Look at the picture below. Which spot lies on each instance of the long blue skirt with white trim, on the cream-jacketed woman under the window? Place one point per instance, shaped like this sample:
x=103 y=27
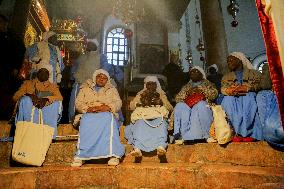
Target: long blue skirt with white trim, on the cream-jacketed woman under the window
x=99 y=137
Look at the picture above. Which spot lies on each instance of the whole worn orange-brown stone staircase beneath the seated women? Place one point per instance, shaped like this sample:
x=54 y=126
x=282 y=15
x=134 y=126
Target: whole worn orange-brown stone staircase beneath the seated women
x=200 y=165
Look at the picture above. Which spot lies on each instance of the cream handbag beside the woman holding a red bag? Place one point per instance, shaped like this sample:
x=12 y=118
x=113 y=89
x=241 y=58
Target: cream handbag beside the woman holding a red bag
x=223 y=131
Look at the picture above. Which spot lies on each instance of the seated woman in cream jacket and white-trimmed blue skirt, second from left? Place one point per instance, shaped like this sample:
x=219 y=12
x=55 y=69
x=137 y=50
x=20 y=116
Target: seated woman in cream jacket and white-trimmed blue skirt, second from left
x=99 y=102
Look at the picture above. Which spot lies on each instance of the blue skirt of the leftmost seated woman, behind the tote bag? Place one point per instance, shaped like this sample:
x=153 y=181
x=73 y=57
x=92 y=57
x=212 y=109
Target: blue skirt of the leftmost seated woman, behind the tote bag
x=51 y=113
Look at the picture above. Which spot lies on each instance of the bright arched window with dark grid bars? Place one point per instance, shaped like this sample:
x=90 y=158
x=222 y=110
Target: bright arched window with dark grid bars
x=117 y=52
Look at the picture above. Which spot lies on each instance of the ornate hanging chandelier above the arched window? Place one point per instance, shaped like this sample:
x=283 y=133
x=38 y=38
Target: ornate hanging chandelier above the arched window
x=128 y=11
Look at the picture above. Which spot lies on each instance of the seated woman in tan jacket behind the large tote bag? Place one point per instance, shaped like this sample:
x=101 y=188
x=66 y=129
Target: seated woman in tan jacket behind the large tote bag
x=42 y=94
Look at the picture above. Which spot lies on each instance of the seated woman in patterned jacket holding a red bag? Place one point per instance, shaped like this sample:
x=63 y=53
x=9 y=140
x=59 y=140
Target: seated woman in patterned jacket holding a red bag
x=192 y=120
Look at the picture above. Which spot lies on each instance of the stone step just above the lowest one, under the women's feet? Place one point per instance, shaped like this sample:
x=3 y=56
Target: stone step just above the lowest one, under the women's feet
x=251 y=154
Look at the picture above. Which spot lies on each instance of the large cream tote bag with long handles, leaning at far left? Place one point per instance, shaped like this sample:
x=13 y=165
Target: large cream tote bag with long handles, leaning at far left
x=31 y=141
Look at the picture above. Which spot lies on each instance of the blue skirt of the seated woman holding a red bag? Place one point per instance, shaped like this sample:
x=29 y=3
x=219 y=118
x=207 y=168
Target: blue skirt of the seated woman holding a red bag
x=192 y=123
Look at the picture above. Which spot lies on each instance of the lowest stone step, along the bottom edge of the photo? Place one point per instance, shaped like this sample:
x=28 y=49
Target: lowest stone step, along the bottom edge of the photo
x=147 y=175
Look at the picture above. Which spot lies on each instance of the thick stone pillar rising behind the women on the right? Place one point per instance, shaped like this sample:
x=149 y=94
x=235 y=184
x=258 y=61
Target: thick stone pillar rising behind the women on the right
x=214 y=34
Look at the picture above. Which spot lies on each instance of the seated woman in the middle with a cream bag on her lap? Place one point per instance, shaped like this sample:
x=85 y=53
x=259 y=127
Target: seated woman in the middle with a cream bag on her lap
x=148 y=135
